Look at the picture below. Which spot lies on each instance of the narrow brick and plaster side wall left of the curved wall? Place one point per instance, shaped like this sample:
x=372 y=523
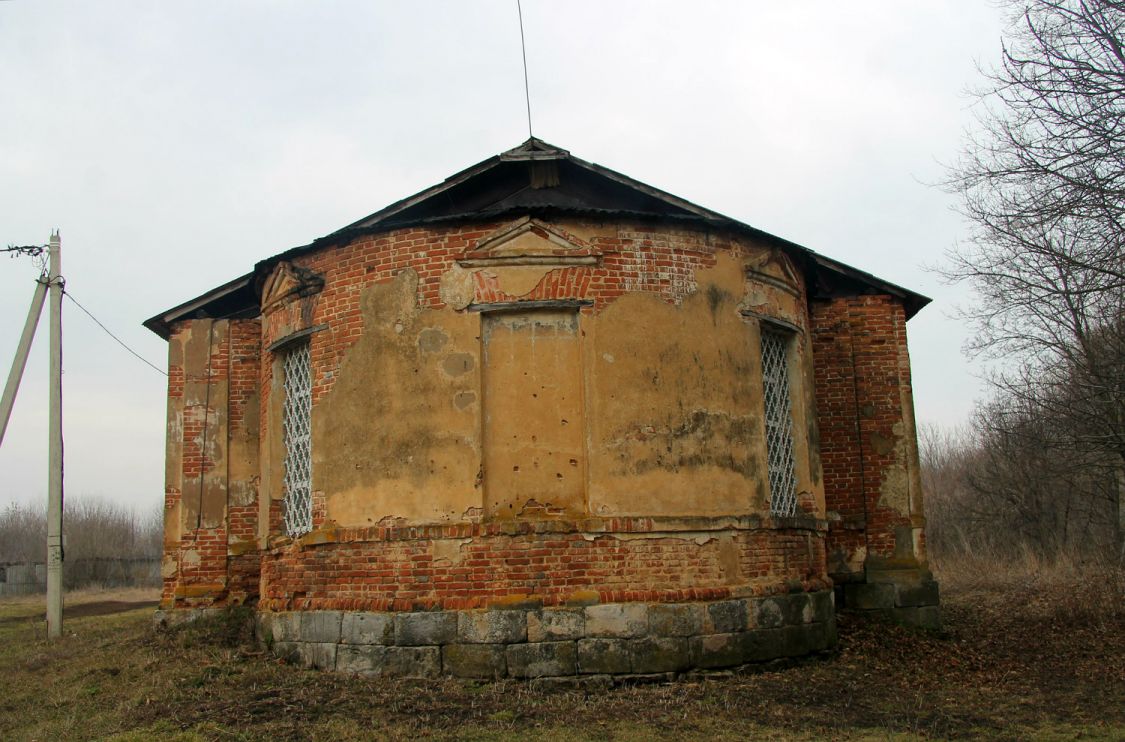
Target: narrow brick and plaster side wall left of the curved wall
x=212 y=474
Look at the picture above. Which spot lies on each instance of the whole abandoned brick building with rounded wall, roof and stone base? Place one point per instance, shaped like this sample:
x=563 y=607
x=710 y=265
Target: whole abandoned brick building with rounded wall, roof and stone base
x=544 y=420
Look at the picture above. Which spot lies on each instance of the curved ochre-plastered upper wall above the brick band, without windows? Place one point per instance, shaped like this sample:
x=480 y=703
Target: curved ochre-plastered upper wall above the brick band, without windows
x=663 y=375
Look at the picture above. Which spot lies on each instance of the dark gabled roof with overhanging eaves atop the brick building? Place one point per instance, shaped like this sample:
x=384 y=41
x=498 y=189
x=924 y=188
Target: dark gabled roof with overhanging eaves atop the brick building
x=536 y=179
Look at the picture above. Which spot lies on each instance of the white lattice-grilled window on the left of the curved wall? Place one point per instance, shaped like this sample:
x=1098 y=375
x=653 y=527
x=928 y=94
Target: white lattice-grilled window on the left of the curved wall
x=296 y=431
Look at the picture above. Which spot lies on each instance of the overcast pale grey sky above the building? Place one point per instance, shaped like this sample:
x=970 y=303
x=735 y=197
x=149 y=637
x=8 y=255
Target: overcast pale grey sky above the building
x=177 y=143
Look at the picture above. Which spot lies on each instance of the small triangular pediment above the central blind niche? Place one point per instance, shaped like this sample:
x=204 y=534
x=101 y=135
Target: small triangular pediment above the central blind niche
x=530 y=242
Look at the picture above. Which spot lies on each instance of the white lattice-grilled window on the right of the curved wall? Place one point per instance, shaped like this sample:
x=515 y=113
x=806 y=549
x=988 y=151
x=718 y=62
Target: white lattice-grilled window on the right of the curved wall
x=779 y=421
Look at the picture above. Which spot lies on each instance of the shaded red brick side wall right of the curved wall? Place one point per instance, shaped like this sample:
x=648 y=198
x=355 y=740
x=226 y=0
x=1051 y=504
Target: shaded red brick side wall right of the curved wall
x=862 y=377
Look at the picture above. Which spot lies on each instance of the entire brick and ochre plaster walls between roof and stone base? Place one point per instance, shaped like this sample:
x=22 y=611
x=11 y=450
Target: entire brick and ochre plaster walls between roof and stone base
x=551 y=413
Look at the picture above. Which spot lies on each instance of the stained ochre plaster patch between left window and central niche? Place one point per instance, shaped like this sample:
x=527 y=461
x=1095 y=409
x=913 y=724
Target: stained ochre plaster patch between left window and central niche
x=398 y=435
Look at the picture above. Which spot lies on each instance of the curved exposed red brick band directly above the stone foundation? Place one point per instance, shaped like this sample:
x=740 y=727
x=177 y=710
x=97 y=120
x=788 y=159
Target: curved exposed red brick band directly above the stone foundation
x=399 y=569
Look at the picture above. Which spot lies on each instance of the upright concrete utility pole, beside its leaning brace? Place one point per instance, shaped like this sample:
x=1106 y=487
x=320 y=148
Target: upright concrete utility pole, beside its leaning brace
x=56 y=448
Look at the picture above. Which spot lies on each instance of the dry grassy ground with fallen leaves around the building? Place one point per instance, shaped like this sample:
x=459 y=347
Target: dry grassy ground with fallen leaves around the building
x=1025 y=655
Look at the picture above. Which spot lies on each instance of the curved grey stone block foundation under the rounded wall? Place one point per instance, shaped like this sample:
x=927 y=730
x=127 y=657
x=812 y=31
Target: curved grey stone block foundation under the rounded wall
x=616 y=639
